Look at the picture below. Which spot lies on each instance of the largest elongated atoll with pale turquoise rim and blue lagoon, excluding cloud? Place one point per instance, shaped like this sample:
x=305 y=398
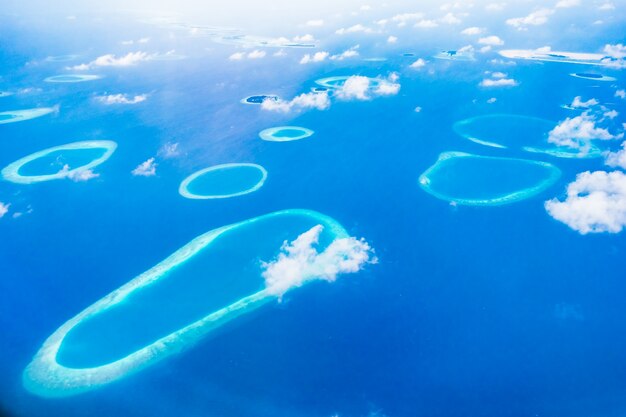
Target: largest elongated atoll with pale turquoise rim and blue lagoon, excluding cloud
x=207 y=283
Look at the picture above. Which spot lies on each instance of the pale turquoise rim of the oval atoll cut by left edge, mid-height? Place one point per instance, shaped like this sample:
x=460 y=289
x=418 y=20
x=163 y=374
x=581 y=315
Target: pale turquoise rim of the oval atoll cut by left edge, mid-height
x=12 y=171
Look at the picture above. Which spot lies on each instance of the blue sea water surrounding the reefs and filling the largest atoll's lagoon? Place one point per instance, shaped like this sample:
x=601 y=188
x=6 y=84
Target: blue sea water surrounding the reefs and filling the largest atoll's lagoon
x=470 y=311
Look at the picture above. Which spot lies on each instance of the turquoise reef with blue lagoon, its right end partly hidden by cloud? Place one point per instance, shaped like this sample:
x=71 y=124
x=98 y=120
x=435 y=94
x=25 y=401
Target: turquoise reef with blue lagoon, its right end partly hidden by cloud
x=512 y=131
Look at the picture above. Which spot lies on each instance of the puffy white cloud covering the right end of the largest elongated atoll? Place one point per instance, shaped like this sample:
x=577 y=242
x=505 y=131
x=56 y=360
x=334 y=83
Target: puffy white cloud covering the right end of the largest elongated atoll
x=300 y=261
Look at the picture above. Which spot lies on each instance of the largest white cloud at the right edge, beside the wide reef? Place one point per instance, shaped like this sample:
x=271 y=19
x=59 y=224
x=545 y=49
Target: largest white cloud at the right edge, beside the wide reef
x=595 y=203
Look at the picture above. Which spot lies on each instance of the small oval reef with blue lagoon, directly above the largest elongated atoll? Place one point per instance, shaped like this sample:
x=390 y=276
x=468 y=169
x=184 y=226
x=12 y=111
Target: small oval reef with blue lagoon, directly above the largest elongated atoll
x=223 y=181
